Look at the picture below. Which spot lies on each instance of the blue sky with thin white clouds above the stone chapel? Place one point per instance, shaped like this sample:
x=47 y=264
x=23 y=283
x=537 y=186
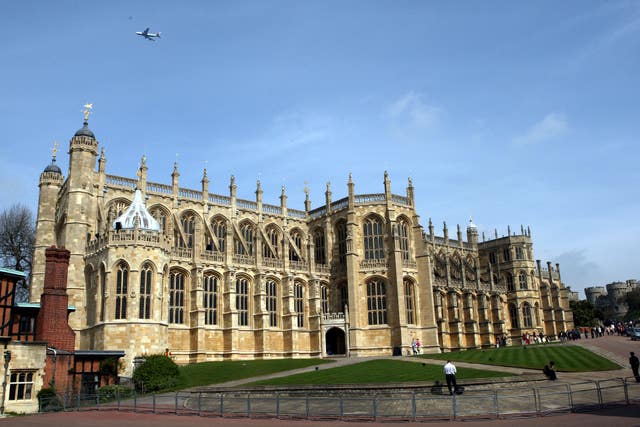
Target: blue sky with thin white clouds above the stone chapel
x=512 y=112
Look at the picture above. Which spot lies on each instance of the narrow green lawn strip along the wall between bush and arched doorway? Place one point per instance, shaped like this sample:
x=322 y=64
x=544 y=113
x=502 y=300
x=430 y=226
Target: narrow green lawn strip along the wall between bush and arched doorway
x=199 y=374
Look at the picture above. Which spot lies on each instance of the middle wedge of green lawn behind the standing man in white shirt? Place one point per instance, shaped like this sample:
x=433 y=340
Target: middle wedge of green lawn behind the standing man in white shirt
x=377 y=371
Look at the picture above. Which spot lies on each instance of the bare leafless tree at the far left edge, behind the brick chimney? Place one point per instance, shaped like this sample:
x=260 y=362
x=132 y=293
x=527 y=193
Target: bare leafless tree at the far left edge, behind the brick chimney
x=17 y=240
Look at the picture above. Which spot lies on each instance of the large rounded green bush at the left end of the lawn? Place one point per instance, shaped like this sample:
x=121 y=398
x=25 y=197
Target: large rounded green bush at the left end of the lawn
x=158 y=372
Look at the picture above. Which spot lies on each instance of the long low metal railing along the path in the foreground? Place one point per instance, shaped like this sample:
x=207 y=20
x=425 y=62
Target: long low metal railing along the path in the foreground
x=408 y=404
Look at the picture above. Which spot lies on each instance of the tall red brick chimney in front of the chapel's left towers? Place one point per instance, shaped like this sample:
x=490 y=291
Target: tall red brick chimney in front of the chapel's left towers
x=52 y=323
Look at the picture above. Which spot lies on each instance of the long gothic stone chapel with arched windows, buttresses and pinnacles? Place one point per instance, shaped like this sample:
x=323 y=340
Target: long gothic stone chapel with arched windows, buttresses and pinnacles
x=227 y=278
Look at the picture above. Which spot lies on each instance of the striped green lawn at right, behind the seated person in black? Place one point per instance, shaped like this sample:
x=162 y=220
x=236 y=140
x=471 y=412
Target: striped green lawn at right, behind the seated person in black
x=568 y=358
